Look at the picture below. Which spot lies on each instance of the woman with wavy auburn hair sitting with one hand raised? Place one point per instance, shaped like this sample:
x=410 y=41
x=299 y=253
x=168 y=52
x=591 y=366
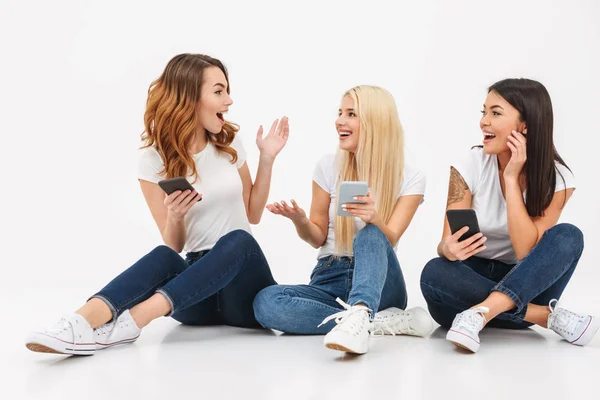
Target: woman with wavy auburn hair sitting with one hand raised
x=186 y=136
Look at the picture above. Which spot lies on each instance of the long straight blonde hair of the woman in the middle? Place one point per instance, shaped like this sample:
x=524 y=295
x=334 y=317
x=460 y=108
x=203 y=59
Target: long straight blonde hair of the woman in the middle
x=379 y=159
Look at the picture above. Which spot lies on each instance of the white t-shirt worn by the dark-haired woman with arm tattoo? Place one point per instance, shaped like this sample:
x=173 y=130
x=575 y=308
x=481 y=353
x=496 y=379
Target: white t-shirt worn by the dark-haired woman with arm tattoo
x=480 y=172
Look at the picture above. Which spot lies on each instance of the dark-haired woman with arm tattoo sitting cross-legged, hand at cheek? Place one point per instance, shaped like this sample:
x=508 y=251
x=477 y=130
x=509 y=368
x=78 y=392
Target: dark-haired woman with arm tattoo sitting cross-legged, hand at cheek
x=512 y=273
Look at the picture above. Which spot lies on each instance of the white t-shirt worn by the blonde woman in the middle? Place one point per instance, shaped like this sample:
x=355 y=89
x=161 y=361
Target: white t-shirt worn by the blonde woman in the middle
x=325 y=175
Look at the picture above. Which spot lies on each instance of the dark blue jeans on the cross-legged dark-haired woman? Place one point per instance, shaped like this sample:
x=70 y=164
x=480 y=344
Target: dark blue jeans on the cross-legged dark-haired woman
x=452 y=287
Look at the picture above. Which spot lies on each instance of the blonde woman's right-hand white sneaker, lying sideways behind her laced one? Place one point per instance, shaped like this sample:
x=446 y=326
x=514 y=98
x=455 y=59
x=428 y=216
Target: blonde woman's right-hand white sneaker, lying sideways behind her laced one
x=394 y=321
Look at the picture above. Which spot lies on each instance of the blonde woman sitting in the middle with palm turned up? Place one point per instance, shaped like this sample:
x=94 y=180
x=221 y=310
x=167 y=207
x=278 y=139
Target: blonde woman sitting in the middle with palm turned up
x=357 y=272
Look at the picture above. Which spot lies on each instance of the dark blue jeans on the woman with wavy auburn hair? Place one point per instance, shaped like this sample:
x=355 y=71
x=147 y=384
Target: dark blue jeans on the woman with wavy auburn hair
x=212 y=287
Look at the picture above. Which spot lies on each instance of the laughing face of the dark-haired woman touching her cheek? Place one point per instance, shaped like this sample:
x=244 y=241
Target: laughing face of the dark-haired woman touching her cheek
x=498 y=120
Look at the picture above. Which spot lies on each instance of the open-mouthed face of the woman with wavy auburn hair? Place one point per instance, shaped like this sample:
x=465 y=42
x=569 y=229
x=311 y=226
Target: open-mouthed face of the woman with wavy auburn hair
x=214 y=100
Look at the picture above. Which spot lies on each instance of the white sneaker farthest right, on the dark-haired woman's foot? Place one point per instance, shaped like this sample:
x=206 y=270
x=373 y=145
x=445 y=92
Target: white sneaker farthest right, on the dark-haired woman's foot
x=575 y=328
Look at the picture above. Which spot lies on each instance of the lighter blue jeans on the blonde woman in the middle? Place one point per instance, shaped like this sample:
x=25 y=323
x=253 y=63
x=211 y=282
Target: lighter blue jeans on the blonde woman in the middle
x=372 y=277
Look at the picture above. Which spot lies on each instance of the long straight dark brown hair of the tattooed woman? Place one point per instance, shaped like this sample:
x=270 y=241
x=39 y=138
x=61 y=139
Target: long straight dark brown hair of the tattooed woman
x=533 y=102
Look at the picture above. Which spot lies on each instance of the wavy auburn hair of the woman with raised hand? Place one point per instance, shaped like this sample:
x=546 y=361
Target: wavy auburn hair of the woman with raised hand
x=171 y=116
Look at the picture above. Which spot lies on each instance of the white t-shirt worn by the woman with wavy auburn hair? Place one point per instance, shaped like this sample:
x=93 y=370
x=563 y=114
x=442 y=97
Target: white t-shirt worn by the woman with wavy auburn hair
x=222 y=208
